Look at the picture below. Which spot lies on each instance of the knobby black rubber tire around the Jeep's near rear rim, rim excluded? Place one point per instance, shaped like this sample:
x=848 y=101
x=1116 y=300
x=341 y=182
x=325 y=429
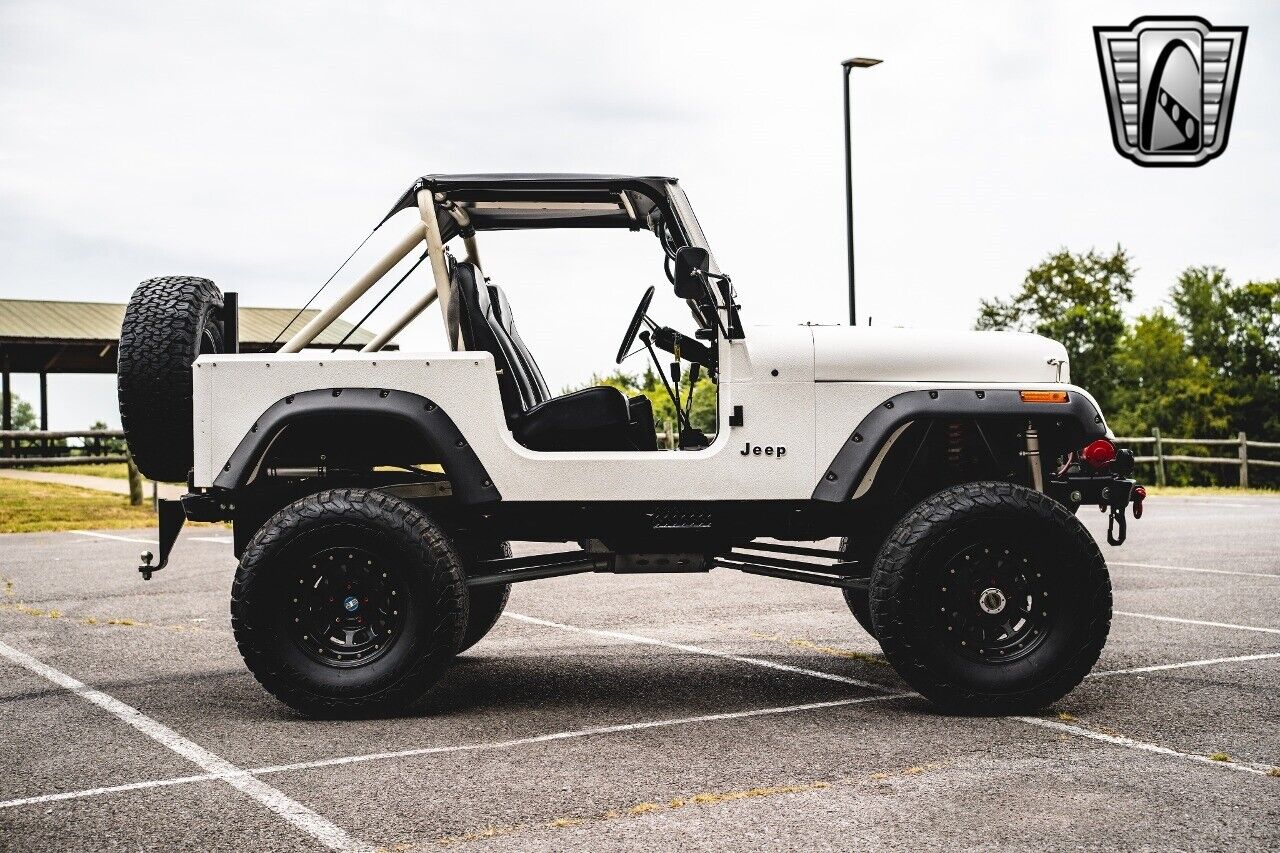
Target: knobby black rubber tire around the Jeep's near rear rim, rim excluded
x=431 y=580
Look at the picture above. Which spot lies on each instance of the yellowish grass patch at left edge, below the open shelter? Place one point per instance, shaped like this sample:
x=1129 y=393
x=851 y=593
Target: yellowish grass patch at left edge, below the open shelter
x=31 y=508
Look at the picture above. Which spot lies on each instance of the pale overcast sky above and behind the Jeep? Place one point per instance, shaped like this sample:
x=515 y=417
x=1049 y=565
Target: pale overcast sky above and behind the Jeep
x=257 y=144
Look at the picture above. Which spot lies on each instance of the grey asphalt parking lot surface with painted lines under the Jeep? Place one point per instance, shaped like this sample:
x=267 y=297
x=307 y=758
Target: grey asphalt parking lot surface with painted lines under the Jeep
x=620 y=713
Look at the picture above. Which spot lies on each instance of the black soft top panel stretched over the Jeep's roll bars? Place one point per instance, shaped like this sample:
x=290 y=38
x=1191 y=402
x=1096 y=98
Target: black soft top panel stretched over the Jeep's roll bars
x=643 y=194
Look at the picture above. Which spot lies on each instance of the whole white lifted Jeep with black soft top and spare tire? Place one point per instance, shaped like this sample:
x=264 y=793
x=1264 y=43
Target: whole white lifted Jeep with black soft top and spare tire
x=374 y=494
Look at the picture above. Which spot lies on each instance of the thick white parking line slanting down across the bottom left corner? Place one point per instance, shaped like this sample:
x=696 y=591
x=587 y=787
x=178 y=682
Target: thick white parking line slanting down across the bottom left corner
x=296 y=814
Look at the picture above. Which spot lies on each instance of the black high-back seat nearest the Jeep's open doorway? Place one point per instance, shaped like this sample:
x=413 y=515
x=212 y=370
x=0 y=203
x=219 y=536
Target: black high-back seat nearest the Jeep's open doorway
x=593 y=419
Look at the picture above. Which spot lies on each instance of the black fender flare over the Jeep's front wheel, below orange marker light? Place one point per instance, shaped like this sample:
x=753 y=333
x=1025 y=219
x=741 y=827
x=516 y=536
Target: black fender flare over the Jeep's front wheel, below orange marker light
x=858 y=453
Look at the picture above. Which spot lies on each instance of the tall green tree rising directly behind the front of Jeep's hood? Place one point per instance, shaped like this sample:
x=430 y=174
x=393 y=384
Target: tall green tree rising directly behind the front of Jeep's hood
x=1077 y=300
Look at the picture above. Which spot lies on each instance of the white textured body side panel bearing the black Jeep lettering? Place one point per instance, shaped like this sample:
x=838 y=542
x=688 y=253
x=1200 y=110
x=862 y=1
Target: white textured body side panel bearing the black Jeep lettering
x=234 y=393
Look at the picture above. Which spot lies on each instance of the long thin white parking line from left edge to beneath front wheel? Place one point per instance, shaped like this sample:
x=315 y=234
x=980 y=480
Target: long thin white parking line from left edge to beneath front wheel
x=467 y=747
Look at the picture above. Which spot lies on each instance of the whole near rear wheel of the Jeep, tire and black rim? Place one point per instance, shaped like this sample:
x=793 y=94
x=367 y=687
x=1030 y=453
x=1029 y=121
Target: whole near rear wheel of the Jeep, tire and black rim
x=349 y=604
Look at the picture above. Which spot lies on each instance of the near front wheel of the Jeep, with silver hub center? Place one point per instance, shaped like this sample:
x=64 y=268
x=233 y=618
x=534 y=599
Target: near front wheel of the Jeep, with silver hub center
x=991 y=599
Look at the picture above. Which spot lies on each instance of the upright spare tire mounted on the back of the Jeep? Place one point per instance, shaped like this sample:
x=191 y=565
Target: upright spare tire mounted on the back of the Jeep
x=167 y=325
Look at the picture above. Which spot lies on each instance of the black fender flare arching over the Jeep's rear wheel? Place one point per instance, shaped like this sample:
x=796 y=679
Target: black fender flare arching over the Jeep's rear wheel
x=469 y=478
